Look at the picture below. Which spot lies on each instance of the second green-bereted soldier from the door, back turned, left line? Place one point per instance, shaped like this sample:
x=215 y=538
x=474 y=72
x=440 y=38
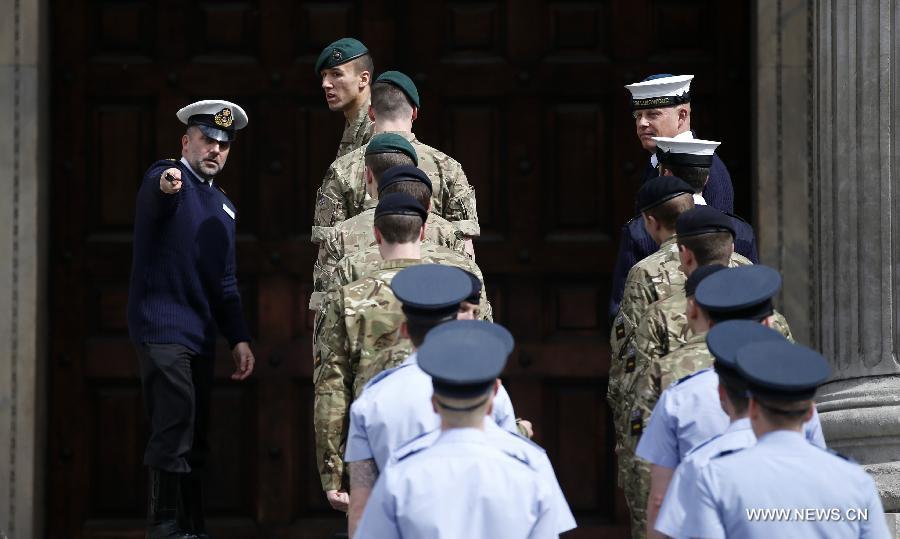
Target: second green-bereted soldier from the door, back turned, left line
x=395 y=106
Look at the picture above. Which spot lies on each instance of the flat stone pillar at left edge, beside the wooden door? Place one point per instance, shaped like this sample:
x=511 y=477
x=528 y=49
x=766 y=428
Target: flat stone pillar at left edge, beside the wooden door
x=23 y=241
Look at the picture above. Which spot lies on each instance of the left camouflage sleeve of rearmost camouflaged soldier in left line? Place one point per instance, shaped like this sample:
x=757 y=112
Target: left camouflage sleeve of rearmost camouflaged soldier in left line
x=332 y=383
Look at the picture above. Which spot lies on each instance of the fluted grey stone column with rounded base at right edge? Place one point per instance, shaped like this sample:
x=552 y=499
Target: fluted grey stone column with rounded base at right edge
x=857 y=171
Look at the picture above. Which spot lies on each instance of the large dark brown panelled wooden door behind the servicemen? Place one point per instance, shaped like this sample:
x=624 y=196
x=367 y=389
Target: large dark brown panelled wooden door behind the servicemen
x=527 y=95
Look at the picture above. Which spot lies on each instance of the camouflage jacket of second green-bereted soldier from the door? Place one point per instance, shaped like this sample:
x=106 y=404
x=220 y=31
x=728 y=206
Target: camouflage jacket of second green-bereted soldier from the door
x=343 y=191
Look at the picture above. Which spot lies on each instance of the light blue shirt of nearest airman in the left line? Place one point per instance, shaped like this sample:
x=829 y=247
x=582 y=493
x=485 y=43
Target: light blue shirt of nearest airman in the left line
x=461 y=487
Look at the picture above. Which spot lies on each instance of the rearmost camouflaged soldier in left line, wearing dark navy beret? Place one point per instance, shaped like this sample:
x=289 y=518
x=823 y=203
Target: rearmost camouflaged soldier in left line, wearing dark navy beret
x=358 y=321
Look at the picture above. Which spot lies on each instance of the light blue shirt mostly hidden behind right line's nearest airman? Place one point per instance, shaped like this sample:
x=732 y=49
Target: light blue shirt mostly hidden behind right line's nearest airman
x=683 y=487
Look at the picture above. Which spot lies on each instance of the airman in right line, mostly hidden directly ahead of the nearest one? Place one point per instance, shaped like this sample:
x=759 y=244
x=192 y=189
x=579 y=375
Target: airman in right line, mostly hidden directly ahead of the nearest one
x=723 y=342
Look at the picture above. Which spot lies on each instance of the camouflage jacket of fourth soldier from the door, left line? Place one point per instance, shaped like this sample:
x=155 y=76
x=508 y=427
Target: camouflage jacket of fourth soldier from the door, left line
x=356 y=266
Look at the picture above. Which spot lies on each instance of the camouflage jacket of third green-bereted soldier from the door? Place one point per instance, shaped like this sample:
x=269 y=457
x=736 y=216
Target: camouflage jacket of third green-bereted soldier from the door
x=355 y=234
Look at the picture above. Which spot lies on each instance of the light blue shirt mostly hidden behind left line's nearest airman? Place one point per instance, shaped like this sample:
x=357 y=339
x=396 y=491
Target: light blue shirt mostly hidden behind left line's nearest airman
x=559 y=514
